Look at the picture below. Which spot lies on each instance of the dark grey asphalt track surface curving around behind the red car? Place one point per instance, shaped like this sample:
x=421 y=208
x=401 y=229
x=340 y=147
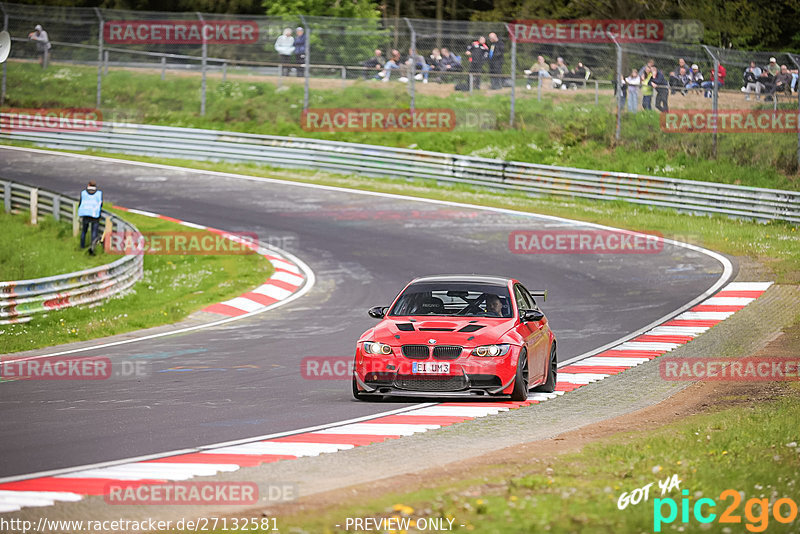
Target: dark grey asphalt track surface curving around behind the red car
x=243 y=379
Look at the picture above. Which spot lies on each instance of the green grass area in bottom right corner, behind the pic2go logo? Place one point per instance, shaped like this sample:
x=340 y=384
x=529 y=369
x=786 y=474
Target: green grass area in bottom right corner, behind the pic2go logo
x=750 y=449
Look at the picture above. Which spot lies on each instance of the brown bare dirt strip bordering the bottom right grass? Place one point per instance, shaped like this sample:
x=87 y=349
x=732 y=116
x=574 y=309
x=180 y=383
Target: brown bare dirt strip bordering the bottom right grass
x=701 y=397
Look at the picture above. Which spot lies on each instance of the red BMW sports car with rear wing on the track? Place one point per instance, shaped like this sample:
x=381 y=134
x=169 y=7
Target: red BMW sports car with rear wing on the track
x=457 y=336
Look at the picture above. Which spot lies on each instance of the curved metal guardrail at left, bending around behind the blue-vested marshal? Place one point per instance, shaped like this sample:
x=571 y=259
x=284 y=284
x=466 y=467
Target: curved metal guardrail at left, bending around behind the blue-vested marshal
x=20 y=300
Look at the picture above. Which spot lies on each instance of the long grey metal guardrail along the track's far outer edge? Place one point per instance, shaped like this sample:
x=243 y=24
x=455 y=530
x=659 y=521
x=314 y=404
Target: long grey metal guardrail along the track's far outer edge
x=293 y=152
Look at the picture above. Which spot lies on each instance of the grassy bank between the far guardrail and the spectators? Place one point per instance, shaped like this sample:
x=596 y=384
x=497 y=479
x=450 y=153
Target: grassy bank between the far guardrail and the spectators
x=566 y=128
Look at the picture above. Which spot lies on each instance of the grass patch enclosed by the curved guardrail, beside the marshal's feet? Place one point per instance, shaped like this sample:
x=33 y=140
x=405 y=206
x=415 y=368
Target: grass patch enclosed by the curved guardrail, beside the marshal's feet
x=46 y=249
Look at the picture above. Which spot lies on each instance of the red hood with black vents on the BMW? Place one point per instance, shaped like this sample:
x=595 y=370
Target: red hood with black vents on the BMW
x=469 y=331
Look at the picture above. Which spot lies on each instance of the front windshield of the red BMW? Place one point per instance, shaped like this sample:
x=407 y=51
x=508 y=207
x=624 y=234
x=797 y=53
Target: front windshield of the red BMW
x=454 y=299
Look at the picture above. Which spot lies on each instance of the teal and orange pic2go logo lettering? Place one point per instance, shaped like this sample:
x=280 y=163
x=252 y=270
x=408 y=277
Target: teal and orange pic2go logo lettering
x=756 y=511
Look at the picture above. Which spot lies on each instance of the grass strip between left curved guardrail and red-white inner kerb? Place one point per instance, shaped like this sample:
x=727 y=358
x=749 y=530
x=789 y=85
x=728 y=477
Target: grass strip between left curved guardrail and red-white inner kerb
x=171 y=289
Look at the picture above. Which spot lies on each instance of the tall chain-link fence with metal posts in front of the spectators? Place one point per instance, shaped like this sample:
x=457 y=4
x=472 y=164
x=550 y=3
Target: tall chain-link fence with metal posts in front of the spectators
x=477 y=75
